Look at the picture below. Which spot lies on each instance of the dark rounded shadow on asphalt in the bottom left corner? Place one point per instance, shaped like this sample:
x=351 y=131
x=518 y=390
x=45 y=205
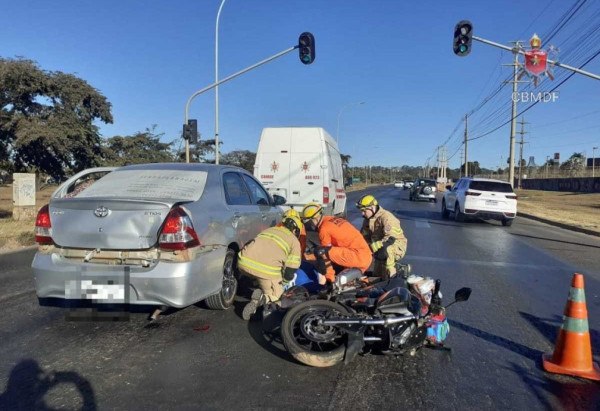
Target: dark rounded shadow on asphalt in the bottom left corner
x=28 y=388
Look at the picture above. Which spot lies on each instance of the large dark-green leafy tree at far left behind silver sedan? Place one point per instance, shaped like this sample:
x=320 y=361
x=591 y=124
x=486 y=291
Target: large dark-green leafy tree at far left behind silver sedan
x=46 y=120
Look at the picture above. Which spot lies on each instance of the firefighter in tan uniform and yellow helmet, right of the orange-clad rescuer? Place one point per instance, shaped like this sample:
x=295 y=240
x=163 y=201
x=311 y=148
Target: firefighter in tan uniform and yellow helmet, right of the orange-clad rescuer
x=384 y=234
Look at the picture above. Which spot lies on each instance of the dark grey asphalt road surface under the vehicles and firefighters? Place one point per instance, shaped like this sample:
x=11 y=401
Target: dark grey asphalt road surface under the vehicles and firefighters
x=196 y=358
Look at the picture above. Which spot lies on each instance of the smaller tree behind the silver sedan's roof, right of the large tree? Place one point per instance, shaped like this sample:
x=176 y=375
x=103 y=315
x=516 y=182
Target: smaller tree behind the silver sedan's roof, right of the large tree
x=137 y=149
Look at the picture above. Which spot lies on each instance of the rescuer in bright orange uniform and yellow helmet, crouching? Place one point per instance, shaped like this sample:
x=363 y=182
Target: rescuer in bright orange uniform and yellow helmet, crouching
x=340 y=243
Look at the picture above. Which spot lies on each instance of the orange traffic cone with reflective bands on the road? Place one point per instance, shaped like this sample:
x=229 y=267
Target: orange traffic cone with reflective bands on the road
x=573 y=352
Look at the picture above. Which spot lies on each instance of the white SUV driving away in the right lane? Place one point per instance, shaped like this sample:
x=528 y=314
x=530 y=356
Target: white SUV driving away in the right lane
x=480 y=198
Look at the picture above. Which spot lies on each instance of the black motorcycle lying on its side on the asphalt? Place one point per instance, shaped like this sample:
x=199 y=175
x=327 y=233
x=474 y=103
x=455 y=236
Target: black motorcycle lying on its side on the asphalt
x=393 y=317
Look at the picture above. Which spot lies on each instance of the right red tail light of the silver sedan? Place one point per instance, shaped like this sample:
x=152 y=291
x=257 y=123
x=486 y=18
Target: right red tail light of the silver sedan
x=178 y=232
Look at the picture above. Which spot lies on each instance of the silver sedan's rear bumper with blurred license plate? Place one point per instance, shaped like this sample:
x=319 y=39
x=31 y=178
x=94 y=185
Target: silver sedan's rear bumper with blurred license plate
x=174 y=284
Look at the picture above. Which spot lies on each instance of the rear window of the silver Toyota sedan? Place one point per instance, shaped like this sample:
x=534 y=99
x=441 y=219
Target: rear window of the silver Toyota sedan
x=178 y=185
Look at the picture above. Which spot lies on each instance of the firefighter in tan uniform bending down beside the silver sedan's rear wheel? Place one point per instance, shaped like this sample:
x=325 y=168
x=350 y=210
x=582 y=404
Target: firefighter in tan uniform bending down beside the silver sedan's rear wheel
x=272 y=258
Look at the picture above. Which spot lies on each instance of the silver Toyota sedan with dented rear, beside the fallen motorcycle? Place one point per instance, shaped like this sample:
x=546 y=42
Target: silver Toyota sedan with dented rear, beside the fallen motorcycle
x=150 y=234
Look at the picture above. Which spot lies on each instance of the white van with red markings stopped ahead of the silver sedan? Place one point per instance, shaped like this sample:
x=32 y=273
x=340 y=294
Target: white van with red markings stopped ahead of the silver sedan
x=302 y=164
